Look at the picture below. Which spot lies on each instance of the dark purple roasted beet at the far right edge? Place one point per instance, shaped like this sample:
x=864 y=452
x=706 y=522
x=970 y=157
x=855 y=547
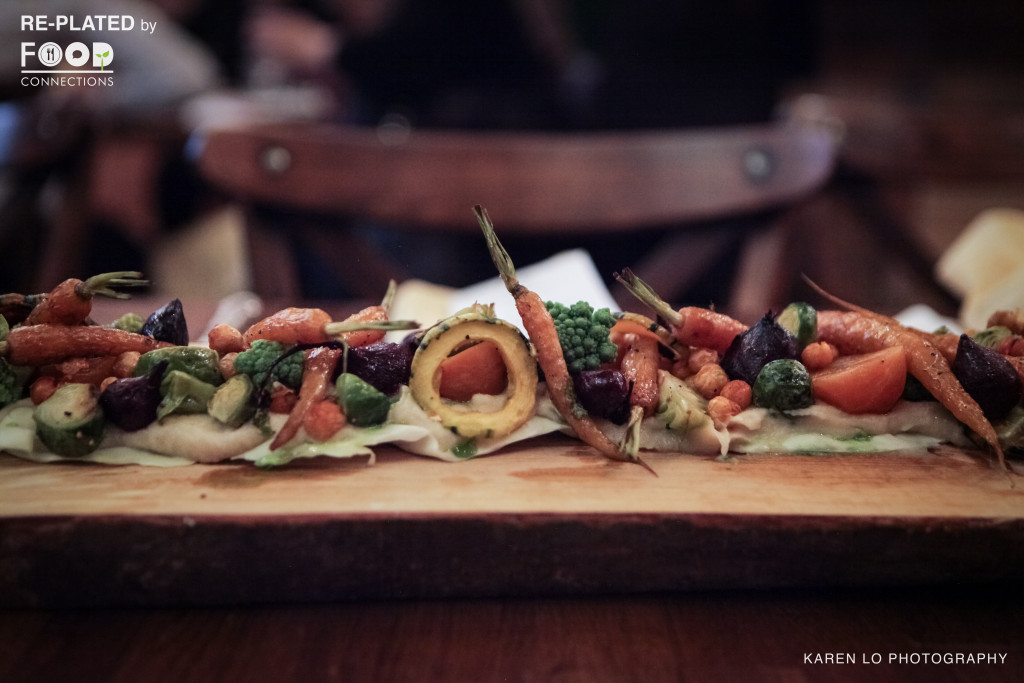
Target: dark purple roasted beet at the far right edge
x=990 y=378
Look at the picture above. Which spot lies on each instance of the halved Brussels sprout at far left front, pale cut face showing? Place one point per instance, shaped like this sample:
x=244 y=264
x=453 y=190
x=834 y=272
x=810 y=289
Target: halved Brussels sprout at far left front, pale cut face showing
x=71 y=422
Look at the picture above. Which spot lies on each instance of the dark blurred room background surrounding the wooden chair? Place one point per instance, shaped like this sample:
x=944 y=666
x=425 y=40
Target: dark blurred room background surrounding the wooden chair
x=103 y=181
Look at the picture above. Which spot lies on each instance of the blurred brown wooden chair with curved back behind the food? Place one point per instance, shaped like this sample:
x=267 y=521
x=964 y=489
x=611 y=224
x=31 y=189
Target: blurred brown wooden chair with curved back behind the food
x=580 y=186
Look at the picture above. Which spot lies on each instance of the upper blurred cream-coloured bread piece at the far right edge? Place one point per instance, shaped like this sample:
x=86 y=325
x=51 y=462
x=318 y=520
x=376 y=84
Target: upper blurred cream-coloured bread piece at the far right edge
x=990 y=249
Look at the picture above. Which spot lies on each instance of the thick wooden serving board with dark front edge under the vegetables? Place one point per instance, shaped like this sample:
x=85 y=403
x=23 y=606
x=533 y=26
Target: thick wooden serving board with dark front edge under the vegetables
x=541 y=520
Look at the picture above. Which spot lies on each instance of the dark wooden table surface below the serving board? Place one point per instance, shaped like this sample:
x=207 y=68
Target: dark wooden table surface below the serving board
x=732 y=636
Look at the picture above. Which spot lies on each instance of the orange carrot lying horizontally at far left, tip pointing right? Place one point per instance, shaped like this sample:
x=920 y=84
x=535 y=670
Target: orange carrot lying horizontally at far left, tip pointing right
x=45 y=345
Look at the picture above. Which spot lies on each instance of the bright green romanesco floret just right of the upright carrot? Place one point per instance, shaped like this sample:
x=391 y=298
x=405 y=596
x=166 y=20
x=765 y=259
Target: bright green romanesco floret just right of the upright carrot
x=583 y=334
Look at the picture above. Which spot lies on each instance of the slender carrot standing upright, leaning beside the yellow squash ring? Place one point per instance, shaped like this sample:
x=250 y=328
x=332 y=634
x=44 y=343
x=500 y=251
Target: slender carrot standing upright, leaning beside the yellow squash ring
x=541 y=328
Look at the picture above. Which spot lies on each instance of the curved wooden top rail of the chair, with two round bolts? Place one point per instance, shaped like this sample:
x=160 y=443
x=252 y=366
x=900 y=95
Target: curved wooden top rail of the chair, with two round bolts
x=534 y=184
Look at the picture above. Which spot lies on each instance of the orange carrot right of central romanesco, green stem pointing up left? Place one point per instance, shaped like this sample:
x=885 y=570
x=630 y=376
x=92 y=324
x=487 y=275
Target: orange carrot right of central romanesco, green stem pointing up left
x=697 y=327
